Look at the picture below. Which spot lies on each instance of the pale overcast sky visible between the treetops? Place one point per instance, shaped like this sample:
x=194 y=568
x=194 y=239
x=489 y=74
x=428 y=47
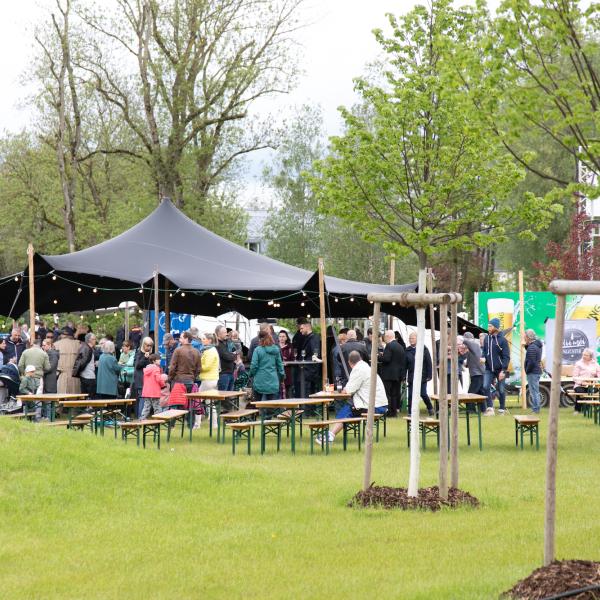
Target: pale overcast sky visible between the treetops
x=336 y=46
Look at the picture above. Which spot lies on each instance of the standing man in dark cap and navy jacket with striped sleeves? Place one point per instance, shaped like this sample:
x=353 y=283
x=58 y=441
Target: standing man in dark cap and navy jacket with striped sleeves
x=497 y=356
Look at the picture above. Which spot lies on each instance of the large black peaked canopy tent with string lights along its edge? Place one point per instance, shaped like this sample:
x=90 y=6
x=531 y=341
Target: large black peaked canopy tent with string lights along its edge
x=199 y=272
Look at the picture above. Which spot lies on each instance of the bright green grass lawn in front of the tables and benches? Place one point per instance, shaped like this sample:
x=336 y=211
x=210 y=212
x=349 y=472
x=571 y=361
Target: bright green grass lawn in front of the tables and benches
x=89 y=517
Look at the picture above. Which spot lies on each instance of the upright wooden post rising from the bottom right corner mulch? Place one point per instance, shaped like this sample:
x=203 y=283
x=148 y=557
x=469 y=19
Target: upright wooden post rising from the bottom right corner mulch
x=552 y=443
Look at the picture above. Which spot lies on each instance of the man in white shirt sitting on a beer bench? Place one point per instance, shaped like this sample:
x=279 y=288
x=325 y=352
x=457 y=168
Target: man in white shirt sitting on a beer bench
x=359 y=385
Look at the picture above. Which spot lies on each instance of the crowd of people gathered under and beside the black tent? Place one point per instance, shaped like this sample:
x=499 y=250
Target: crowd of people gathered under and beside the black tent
x=73 y=360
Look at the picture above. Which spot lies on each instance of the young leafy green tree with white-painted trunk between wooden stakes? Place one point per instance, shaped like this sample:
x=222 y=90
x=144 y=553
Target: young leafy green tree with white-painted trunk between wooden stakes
x=421 y=171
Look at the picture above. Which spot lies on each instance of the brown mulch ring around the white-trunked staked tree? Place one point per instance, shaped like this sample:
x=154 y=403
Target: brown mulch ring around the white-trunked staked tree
x=428 y=498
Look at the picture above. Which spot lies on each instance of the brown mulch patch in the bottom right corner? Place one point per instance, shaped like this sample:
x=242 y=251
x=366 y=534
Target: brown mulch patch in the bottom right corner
x=557 y=578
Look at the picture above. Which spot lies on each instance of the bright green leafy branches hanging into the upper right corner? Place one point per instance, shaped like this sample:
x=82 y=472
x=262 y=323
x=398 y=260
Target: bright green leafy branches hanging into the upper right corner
x=546 y=65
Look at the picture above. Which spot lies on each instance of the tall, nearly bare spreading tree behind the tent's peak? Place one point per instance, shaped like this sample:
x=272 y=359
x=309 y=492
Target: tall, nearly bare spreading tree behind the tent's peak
x=197 y=68
